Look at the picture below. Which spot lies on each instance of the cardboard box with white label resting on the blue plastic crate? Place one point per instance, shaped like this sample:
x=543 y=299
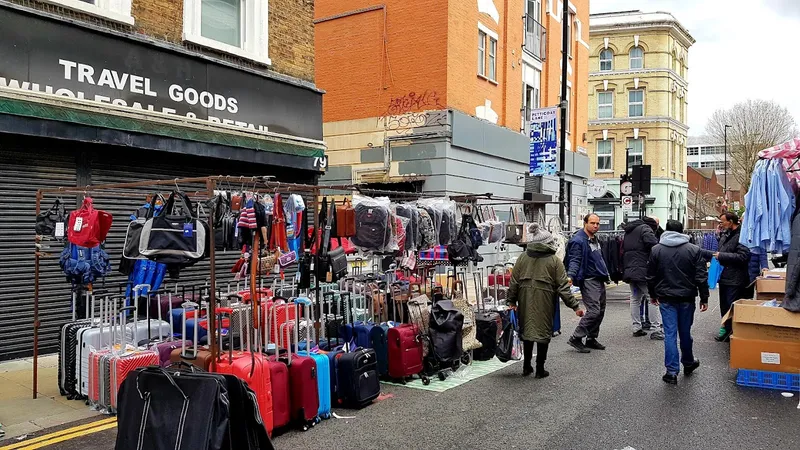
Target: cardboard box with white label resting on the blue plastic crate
x=771 y=356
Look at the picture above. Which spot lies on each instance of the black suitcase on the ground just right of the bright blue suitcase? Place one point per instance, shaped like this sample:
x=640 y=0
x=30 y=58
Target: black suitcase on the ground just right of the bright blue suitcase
x=358 y=382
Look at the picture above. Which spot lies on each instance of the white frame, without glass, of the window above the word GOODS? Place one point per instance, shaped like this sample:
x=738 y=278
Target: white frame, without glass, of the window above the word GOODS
x=255 y=30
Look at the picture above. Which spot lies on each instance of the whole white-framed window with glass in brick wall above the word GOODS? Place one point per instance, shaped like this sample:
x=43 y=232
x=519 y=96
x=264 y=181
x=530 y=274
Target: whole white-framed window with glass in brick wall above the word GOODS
x=237 y=27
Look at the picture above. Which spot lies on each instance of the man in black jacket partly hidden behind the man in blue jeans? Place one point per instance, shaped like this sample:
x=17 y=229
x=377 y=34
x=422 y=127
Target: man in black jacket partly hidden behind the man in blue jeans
x=639 y=240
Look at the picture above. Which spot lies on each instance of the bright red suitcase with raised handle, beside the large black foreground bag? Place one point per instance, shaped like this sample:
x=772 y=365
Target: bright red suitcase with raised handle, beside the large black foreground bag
x=250 y=366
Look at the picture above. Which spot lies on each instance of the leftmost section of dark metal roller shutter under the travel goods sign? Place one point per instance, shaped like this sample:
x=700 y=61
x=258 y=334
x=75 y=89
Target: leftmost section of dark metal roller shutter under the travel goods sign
x=25 y=166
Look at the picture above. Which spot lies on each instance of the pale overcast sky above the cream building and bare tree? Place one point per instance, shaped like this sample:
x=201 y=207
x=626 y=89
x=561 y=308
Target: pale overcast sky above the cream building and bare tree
x=745 y=49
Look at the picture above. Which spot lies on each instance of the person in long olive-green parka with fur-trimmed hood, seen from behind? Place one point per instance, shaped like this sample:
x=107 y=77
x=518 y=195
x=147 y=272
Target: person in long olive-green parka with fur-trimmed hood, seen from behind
x=538 y=277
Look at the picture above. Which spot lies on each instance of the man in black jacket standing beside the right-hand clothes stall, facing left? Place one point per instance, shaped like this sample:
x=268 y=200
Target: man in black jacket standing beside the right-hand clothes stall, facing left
x=735 y=260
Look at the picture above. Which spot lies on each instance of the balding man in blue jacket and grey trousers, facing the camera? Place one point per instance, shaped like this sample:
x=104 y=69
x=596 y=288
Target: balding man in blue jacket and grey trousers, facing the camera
x=587 y=269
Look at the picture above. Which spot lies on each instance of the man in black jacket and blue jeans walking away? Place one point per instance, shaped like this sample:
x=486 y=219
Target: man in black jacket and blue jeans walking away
x=676 y=274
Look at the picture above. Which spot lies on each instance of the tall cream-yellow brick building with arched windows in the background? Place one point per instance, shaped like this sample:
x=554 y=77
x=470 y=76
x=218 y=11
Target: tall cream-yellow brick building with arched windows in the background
x=637 y=106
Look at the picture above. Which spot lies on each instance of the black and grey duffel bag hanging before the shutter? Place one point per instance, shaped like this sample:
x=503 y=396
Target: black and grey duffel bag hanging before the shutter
x=175 y=238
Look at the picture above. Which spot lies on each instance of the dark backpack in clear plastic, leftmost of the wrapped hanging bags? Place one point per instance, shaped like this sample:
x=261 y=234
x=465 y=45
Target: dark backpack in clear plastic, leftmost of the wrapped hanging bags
x=373 y=224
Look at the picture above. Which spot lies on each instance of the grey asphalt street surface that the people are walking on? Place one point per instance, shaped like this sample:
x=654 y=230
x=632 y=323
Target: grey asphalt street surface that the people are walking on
x=613 y=399
